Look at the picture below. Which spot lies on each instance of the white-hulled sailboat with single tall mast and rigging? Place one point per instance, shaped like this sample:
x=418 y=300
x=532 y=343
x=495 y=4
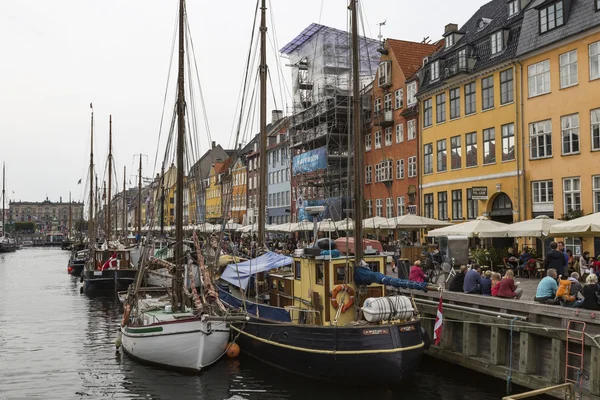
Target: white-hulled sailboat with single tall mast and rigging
x=167 y=332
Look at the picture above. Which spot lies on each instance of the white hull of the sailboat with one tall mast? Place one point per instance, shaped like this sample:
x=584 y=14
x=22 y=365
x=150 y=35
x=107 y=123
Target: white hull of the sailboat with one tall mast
x=189 y=345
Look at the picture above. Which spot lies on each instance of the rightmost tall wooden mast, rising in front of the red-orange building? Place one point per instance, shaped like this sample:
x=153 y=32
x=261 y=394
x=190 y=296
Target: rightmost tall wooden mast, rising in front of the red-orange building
x=356 y=130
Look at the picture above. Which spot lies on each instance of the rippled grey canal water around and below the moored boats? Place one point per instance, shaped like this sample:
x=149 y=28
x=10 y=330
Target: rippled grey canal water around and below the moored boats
x=58 y=344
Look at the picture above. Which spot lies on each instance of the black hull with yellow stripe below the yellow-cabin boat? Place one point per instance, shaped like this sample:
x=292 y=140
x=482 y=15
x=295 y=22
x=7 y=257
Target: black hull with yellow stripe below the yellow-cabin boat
x=366 y=355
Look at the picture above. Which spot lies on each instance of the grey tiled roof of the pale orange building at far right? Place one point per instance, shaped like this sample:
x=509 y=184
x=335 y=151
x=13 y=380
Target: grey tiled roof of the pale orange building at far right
x=580 y=17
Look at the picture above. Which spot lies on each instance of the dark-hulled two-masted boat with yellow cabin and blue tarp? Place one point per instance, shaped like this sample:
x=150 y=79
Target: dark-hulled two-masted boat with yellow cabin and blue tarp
x=328 y=318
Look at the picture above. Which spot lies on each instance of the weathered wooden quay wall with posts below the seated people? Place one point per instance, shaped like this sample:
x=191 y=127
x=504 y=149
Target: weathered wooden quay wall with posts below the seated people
x=517 y=340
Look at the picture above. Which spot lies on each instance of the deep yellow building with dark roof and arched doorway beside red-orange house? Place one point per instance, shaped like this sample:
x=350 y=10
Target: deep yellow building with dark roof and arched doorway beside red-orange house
x=469 y=114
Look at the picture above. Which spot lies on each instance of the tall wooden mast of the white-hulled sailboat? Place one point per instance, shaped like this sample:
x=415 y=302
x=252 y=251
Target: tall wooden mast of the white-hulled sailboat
x=177 y=292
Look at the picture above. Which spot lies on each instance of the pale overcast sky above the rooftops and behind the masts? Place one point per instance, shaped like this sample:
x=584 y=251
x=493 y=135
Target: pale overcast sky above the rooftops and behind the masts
x=59 y=56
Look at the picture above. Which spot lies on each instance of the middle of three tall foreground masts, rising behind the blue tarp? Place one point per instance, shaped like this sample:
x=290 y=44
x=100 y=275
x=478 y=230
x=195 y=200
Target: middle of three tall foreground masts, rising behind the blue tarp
x=262 y=181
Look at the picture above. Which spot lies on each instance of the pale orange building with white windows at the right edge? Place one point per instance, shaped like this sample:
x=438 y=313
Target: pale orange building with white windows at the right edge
x=559 y=54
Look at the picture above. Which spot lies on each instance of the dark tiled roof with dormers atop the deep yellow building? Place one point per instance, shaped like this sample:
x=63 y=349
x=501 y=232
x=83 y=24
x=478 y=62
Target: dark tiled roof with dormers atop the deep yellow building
x=478 y=42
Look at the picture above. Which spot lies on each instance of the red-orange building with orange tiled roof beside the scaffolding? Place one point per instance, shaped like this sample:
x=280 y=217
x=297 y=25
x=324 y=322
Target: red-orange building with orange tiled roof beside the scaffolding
x=391 y=143
